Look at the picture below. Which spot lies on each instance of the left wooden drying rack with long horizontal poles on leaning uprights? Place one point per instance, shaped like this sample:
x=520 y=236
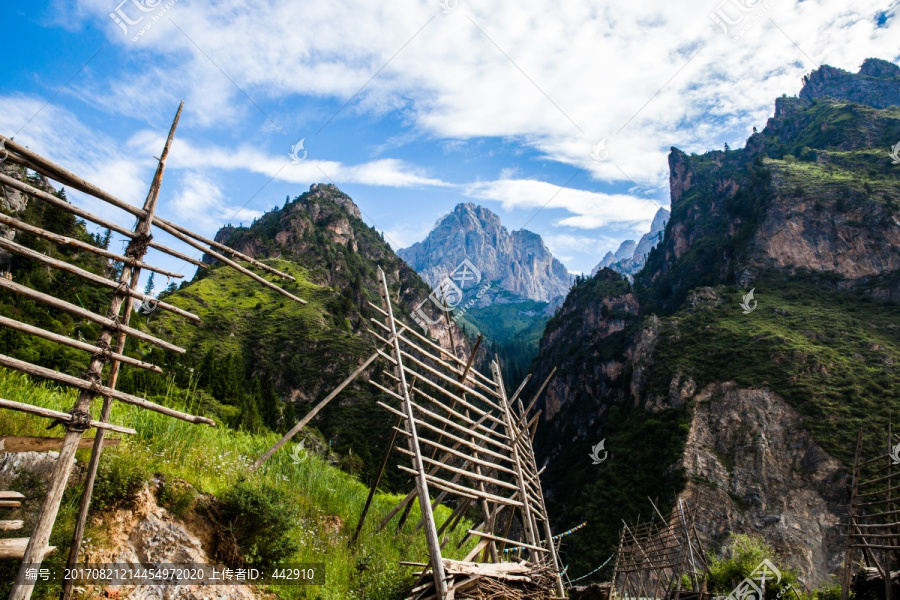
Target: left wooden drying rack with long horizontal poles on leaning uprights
x=115 y=323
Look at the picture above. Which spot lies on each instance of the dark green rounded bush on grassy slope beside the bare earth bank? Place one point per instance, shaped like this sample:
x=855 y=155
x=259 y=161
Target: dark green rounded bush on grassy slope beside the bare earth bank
x=261 y=519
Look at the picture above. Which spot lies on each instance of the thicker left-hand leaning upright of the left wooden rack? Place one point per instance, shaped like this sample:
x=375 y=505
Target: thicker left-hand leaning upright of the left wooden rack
x=37 y=543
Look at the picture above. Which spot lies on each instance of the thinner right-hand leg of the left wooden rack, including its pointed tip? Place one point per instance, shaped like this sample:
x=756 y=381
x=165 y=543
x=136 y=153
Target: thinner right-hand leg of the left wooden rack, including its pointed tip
x=97 y=450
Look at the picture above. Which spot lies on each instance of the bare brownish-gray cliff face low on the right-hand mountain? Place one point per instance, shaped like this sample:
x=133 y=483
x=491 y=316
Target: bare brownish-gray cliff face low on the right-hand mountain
x=763 y=474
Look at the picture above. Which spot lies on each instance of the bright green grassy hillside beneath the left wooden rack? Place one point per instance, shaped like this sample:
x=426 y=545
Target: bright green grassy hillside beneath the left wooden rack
x=212 y=463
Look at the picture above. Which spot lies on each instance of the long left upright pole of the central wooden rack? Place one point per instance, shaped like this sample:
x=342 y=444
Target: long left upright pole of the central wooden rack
x=431 y=536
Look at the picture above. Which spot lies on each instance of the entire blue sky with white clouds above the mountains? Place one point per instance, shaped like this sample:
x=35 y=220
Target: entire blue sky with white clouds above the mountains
x=411 y=107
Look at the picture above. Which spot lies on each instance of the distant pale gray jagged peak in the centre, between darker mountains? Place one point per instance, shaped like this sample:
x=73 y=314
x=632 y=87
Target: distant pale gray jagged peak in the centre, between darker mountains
x=518 y=262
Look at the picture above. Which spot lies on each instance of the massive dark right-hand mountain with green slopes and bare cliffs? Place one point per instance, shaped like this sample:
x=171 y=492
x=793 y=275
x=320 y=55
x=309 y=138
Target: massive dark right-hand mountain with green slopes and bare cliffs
x=749 y=416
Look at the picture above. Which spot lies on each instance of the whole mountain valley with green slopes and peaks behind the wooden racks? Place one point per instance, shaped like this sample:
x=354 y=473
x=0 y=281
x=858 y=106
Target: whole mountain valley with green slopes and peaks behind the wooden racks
x=729 y=359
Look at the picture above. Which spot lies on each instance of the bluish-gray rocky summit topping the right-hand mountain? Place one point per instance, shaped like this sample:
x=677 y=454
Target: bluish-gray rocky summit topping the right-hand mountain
x=877 y=84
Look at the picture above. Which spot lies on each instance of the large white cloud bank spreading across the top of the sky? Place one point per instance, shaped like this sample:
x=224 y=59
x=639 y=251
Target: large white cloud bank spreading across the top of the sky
x=556 y=77
